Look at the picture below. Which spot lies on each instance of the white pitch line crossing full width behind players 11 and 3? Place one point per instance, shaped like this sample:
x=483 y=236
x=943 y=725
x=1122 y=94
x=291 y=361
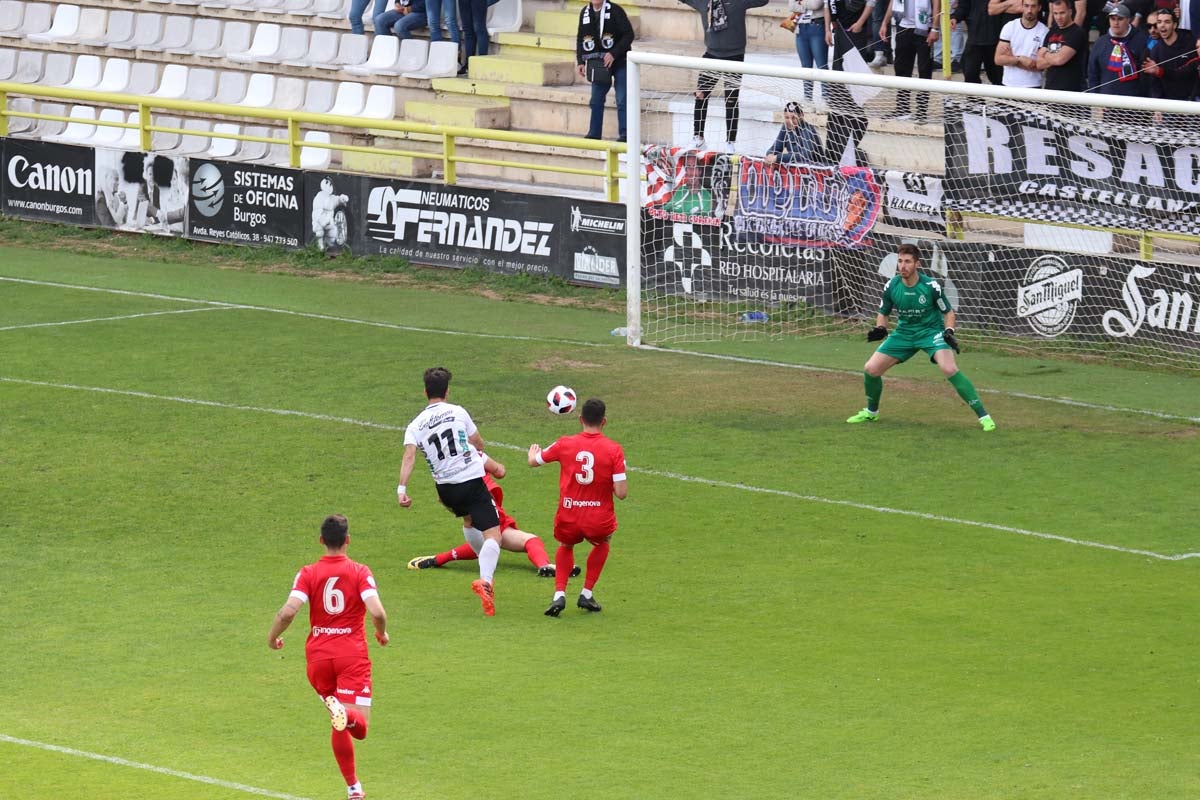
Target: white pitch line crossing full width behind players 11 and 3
x=676 y=477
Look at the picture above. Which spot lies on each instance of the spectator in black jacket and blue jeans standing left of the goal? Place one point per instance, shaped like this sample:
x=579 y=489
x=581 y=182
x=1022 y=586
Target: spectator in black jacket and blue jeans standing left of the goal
x=602 y=43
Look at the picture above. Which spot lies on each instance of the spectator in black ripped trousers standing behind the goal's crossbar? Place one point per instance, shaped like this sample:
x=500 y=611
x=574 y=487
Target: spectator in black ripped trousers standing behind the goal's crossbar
x=725 y=39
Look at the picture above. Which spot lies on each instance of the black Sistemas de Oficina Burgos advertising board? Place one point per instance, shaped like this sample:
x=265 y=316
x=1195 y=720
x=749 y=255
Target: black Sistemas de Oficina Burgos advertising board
x=247 y=204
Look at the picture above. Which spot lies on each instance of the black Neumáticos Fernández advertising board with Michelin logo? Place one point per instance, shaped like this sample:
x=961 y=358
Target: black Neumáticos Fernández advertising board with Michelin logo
x=461 y=227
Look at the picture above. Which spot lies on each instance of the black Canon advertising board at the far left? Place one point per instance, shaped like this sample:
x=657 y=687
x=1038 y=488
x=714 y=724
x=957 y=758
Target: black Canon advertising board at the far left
x=50 y=182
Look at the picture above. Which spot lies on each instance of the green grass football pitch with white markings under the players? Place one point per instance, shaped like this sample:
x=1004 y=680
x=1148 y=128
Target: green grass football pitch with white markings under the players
x=794 y=607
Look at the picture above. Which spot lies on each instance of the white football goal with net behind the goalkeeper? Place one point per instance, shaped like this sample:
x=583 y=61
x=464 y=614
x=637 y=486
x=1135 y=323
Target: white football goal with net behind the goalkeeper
x=1061 y=224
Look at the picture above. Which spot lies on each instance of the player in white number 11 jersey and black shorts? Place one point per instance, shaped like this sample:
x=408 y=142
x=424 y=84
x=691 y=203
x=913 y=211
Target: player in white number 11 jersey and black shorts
x=452 y=444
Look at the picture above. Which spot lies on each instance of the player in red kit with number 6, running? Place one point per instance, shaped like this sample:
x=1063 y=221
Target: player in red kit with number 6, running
x=340 y=593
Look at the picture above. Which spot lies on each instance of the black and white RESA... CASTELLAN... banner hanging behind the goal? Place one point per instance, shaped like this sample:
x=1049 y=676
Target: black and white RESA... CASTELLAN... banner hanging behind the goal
x=1017 y=164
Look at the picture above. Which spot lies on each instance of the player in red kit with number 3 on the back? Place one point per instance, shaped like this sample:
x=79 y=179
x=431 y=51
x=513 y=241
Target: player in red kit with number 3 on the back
x=592 y=471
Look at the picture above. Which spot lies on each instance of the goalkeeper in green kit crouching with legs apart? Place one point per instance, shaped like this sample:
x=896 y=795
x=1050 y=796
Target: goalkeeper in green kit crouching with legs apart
x=926 y=322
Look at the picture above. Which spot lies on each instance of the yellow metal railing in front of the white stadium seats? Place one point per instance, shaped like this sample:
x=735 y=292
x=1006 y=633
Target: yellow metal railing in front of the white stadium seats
x=448 y=136
